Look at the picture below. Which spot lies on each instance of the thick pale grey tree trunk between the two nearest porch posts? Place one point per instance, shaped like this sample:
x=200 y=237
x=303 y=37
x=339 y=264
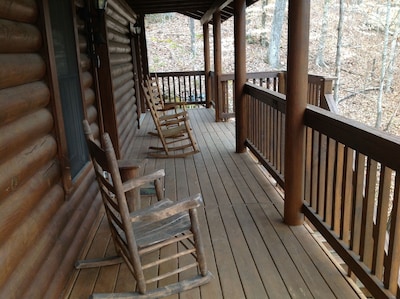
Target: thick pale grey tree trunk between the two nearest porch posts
x=276 y=33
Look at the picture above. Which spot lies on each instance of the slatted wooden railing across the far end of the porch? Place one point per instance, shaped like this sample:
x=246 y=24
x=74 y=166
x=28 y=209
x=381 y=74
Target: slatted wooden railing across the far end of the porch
x=190 y=87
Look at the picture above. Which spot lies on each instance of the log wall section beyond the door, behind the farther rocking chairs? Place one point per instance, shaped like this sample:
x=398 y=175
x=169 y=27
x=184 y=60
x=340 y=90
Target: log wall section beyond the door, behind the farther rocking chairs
x=121 y=64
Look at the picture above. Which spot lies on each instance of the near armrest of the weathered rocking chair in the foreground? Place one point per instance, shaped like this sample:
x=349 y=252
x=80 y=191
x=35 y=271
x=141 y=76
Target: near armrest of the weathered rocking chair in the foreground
x=180 y=206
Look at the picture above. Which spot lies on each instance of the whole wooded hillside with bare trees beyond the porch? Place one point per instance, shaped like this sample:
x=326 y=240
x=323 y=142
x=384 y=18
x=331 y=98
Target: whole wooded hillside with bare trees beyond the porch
x=355 y=41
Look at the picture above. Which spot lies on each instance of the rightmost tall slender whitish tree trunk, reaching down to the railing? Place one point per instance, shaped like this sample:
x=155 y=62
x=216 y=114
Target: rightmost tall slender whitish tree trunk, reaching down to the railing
x=383 y=67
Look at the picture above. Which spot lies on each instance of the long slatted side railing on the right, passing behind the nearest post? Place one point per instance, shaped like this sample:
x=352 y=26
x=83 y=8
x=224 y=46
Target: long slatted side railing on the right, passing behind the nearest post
x=352 y=184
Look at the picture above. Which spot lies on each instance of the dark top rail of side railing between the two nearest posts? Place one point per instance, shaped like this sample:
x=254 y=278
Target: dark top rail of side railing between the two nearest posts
x=270 y=97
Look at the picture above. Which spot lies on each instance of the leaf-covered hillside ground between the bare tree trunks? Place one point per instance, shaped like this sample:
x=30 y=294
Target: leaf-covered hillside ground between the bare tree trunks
x=170 y=49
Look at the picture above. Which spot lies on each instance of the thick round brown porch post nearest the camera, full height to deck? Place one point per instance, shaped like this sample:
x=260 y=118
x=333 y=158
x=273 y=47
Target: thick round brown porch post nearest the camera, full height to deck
x=296 y=101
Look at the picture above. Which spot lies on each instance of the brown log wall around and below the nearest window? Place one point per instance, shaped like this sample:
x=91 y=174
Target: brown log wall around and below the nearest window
x=41 y=233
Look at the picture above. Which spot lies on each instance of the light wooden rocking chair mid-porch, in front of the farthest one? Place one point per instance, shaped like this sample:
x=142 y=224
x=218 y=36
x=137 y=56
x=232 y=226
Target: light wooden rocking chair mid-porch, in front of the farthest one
x=173 y=130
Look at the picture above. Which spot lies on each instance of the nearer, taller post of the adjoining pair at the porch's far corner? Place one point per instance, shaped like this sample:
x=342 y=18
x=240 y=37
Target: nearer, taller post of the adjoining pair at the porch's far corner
x=217 y=64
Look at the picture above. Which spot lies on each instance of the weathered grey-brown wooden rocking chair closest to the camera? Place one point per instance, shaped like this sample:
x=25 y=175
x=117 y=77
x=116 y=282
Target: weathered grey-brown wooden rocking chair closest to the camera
x=148 y=230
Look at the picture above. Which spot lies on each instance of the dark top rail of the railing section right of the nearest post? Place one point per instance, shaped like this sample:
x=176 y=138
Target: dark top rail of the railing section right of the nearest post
x=378 y=145
